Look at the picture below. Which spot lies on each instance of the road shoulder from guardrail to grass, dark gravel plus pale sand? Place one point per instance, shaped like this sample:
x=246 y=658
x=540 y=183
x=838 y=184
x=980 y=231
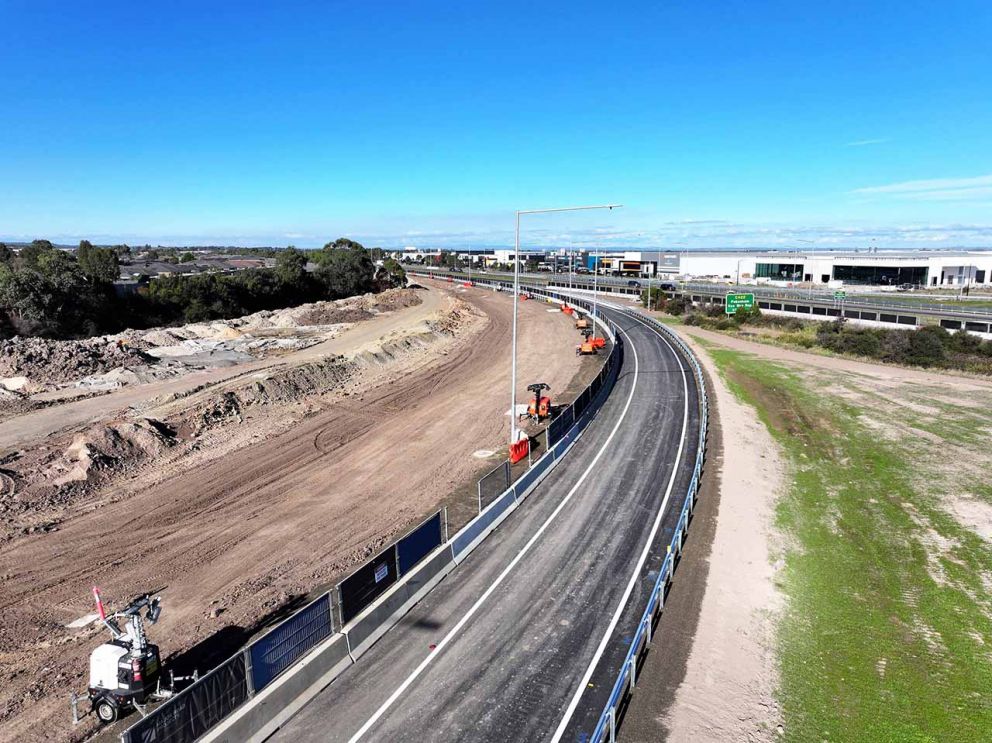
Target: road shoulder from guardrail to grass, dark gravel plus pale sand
x=710 y=675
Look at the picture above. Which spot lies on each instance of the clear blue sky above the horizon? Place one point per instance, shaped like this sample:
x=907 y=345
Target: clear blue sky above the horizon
x=716 y=124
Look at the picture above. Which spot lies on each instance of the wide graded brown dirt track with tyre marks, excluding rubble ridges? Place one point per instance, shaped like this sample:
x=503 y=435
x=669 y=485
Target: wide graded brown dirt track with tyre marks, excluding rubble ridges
x=226 y=541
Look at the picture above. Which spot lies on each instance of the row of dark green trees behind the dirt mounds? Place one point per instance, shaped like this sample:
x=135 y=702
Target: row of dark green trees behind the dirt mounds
x=56 y=293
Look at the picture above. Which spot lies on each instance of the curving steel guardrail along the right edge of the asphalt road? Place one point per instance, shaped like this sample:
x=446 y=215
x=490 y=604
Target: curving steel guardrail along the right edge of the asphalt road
x=606 y=727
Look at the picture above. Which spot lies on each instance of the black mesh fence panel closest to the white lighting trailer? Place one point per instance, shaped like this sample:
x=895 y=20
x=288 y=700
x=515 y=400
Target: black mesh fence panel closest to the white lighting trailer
x=187 y=716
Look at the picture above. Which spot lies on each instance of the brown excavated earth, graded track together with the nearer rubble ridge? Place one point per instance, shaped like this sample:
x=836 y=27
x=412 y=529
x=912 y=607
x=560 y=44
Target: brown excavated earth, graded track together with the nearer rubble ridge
x=237 y=499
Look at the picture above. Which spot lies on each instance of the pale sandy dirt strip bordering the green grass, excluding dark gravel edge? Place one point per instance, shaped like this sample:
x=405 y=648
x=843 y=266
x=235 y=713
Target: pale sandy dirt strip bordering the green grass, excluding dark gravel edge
x=727 y=693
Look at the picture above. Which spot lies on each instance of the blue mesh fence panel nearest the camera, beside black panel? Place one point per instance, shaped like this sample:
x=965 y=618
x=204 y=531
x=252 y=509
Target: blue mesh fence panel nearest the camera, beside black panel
x=278 y=649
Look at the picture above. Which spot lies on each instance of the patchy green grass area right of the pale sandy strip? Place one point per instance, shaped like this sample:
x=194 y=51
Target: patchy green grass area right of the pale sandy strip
x=886 y=635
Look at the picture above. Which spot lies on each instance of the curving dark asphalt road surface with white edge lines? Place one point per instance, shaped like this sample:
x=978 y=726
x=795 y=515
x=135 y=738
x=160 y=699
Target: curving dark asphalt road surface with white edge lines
x=524 y=640
